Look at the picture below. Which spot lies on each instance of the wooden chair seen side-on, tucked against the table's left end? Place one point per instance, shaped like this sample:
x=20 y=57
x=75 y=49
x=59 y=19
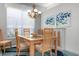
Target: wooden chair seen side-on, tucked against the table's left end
x=19 y=44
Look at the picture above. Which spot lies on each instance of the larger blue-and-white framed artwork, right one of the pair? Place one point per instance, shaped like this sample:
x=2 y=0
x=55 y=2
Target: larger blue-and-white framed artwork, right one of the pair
x=63 y=19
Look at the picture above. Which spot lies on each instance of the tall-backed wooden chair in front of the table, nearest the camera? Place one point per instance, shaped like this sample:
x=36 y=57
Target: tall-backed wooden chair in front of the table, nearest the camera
x=46 y=44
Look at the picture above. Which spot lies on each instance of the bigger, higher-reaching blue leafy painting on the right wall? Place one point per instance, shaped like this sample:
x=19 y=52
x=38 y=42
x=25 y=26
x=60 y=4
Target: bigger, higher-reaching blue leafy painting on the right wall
x=63 y=18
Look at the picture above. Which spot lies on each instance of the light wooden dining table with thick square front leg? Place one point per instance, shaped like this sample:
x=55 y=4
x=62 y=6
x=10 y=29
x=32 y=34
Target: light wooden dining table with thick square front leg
x=32 y=41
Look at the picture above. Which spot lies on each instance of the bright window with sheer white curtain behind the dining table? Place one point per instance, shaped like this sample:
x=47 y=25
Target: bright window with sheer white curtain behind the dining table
x=18 y=18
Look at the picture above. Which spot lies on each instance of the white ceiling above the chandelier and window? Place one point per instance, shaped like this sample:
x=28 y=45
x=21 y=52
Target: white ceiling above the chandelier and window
x=41 y=6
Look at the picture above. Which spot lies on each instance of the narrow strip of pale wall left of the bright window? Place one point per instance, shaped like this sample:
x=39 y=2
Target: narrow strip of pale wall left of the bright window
x=3 y=18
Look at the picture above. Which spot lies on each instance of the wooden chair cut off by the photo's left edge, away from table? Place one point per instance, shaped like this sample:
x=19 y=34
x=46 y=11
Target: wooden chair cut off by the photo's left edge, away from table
x=4 y=43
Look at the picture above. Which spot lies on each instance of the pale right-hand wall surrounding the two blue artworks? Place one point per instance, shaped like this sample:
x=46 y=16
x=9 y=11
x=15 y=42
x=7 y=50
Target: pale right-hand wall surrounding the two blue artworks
x=70 y=35
